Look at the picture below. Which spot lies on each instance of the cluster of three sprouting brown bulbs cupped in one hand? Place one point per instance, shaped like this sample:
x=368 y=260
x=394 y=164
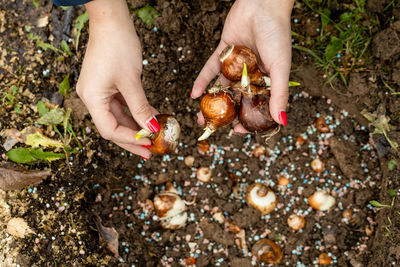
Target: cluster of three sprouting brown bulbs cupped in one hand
x=246 y=98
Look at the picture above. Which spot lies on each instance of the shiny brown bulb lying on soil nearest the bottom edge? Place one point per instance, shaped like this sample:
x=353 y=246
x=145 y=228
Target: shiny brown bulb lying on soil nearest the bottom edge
x=267 y=251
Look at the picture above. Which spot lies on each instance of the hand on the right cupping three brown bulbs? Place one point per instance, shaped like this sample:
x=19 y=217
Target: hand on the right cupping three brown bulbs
x=263 y=26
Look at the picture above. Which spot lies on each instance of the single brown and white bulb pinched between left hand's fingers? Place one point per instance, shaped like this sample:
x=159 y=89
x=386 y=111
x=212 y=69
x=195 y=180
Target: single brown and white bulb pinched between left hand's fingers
x=166 y=140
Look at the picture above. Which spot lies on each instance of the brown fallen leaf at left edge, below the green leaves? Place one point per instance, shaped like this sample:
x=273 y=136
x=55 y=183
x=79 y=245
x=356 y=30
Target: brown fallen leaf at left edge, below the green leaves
x=12 y=178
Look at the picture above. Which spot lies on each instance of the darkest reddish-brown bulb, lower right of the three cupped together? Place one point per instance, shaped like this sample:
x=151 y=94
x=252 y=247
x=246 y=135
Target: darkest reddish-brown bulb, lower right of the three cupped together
x=254 y=113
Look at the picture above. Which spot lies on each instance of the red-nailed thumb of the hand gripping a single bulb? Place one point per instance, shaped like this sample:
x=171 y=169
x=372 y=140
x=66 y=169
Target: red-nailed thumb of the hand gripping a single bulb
x=132 y=92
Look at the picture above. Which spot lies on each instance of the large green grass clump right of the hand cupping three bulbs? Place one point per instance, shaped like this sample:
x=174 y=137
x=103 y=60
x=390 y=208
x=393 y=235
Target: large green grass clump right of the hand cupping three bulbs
x=343 y=41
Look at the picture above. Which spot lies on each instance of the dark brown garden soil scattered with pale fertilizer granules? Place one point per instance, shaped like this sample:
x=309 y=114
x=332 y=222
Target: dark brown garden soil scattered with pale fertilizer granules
x=106 y=181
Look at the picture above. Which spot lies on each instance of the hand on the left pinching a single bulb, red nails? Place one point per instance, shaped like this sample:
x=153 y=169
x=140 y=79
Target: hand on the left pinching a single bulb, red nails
x=110 y=77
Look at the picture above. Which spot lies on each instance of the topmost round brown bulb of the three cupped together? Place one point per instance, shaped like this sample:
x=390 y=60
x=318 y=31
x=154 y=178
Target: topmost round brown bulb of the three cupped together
x=232 y=59
